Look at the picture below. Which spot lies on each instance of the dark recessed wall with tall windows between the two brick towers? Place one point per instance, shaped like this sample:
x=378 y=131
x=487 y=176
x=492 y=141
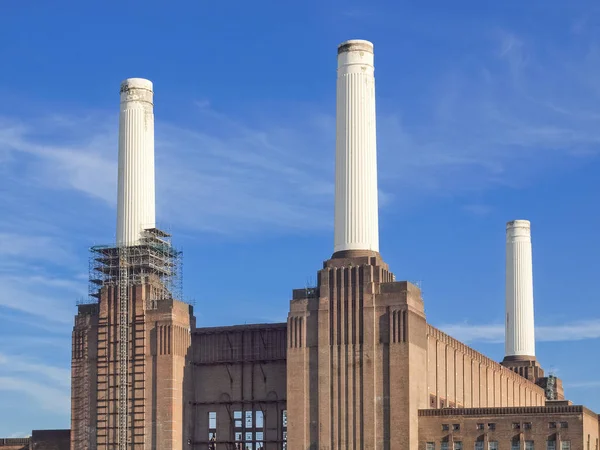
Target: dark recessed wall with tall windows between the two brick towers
x=237 y=371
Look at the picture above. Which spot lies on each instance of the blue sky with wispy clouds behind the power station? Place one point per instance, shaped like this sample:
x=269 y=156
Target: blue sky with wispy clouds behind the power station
x=486 y=113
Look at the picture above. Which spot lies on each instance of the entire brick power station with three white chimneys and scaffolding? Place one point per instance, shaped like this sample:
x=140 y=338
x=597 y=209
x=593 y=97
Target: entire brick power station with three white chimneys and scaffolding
x=356 y=366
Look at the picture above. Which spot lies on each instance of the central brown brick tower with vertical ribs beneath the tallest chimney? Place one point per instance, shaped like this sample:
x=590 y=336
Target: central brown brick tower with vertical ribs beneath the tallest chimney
x=356 y=371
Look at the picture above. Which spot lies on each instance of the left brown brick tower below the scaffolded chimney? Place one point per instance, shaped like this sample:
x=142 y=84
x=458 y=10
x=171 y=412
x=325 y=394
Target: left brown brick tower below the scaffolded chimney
x=160 y=338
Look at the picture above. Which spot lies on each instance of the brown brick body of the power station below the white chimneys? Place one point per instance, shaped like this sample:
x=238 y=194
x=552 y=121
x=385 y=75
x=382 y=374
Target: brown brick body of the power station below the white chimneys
x=355 y=366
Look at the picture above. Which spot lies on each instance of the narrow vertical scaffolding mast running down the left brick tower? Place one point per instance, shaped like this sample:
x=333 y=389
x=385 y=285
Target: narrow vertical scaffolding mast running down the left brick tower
x=123 y=345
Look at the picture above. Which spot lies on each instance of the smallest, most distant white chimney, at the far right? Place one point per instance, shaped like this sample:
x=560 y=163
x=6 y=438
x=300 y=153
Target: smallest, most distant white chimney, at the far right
x=520 y=333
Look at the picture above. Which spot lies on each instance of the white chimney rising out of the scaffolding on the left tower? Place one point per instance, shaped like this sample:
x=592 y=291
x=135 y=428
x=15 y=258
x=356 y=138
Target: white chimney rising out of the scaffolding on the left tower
x=135 y=198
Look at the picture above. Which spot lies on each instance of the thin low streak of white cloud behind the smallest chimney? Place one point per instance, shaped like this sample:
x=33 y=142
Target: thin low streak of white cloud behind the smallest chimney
x=494 y=333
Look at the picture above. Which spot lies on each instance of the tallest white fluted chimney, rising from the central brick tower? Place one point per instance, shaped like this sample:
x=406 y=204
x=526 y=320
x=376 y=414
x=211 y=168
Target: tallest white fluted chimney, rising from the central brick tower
x=356 y=209
